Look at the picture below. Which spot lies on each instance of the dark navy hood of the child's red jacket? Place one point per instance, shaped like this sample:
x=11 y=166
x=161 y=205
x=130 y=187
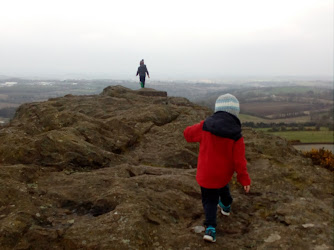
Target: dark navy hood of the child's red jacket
x=223 y=124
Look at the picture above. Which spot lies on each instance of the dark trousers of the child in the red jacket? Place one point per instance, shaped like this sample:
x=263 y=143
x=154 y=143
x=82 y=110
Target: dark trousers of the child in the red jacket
x=210 y=198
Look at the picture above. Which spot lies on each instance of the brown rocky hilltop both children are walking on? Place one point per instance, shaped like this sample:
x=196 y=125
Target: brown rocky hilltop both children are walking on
x=113 y=171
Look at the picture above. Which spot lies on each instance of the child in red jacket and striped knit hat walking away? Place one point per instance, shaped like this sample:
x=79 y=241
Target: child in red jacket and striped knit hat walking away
x=221 y=153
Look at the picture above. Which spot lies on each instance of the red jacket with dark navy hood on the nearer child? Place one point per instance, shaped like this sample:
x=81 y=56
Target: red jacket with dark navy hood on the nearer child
x=221 y=151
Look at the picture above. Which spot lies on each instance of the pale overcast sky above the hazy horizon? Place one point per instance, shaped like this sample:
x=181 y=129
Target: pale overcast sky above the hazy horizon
x=179 y=39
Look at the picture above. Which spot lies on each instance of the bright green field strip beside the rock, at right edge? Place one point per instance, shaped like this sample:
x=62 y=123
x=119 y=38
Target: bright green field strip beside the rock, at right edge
x=305 y=136
